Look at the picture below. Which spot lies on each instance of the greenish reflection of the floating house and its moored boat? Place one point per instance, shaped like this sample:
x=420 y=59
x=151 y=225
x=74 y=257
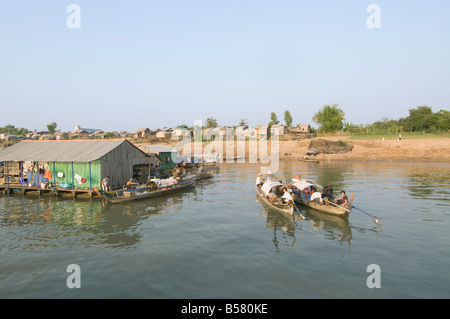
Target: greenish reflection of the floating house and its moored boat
x=36 y=222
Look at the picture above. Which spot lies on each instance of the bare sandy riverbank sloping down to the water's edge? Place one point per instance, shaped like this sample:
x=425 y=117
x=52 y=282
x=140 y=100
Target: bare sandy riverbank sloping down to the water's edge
x=421 y=149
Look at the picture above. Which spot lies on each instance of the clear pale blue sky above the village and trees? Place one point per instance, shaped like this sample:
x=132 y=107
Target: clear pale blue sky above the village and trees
x=134 y=64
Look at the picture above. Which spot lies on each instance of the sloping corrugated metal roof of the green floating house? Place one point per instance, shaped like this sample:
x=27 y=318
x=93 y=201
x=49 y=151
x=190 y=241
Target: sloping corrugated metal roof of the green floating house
x=59 y=151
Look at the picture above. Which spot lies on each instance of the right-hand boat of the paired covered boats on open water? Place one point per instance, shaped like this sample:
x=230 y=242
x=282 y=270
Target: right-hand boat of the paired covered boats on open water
x=302 y=195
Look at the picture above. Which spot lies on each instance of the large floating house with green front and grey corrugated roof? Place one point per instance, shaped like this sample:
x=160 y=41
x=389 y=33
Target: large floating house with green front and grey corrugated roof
x=72 y=164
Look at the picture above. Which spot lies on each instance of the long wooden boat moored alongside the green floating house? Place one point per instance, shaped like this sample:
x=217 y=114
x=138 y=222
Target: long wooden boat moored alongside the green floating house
x=154 y=188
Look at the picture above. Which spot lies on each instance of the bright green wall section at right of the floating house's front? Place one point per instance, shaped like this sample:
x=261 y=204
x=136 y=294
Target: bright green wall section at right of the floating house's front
x=82 y=169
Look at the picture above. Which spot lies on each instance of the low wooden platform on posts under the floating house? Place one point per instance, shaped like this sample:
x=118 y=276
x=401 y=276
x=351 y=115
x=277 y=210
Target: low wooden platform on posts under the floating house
x=24 y=189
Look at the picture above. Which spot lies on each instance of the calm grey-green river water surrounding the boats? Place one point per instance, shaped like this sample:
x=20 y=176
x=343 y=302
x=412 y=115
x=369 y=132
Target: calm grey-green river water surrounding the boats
x=218 y=241
